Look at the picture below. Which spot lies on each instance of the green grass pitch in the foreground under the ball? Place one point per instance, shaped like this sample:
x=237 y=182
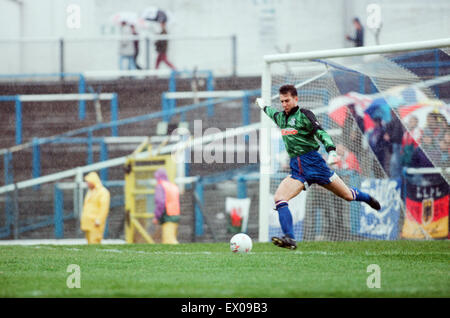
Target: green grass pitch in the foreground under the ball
x=315 y=269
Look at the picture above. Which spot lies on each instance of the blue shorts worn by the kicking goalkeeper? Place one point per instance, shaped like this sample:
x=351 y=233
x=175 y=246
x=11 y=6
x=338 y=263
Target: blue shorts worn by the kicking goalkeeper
x=310 y=168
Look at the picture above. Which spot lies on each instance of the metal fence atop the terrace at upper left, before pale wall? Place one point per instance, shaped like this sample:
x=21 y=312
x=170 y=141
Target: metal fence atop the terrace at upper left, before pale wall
x=62 y=55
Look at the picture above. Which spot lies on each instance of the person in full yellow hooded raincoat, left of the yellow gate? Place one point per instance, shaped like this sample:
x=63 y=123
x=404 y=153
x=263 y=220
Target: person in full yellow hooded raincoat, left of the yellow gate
x=95 y=209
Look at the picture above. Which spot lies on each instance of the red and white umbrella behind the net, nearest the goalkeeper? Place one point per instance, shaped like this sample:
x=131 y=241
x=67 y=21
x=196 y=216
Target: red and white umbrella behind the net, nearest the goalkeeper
x=337 y=108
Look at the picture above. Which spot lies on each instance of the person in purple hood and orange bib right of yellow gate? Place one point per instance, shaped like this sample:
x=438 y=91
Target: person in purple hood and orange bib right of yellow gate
x=167 y=207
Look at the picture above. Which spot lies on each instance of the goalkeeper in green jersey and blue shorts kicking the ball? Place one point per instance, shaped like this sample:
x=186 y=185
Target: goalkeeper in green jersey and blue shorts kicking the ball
x=299 y=127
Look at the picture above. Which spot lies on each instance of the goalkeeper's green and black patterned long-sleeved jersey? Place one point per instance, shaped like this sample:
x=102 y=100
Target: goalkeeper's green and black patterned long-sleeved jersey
x=299 y=130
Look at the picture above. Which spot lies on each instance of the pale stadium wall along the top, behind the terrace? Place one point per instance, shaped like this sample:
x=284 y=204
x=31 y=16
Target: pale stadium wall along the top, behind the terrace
x=261 y=27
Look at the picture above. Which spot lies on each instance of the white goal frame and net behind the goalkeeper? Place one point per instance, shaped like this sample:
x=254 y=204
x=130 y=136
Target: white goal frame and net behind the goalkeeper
x=386 y=109
